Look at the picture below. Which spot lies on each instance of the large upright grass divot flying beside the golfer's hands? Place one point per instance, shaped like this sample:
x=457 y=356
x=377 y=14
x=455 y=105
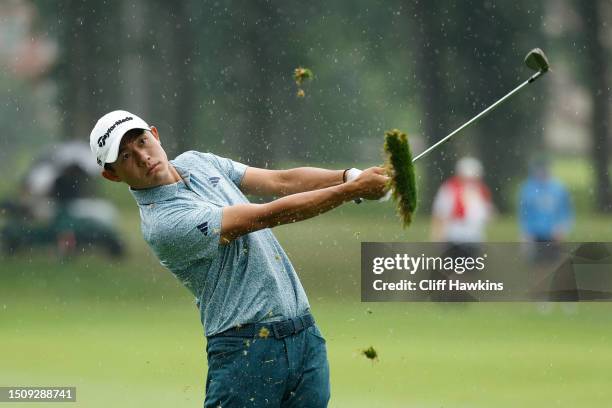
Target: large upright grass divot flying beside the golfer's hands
x=401 y=172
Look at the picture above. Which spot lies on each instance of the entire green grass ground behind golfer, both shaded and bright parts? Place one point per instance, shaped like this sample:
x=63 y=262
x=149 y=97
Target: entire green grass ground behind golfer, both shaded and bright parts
x=126 y=334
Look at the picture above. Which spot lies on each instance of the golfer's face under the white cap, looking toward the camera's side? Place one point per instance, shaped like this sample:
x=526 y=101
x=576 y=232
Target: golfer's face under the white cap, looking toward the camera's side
x=142 y=162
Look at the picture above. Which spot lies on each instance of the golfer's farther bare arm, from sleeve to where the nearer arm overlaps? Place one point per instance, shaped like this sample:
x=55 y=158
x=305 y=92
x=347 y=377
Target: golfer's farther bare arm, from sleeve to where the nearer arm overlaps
x=286 y=182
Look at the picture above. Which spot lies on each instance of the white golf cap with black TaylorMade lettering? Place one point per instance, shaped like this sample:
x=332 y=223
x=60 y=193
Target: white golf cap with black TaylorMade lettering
x=106 y=136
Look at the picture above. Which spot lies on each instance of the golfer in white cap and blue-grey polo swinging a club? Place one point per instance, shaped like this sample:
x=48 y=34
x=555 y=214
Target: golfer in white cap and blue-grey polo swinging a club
x=263 y=346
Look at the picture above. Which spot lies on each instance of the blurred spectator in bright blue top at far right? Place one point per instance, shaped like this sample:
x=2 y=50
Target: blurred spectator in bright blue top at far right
x=545 y=210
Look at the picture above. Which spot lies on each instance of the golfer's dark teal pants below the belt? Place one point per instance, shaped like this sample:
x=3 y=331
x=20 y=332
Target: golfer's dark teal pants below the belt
x=266 y=371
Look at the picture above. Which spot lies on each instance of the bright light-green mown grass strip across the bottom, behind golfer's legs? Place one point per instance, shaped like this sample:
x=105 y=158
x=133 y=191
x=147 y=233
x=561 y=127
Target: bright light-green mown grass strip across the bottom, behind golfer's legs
x=152 y=355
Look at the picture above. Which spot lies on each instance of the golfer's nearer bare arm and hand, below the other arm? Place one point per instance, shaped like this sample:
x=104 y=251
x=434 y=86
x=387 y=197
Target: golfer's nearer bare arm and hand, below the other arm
x=241 y=219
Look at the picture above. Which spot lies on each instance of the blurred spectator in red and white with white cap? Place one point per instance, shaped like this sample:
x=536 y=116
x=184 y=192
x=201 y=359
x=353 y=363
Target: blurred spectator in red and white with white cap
x=462 y=207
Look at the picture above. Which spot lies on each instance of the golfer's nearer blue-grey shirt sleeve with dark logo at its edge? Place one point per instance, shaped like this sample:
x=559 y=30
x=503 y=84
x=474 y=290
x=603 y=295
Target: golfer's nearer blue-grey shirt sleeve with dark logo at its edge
x=189 y=233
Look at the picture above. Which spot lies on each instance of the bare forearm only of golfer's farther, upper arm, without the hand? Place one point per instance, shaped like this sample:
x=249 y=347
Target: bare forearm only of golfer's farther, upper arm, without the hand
x=303 y=179
